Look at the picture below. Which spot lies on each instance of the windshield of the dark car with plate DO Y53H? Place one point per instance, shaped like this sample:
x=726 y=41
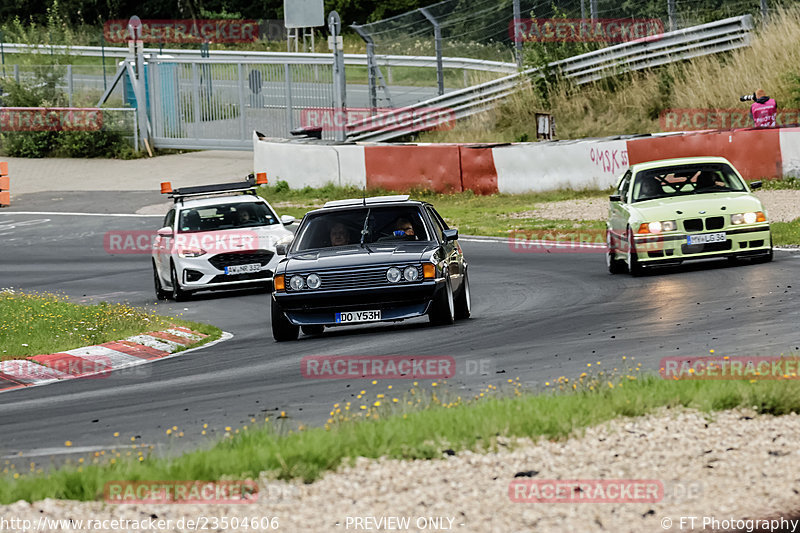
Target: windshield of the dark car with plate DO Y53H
x=391 y=224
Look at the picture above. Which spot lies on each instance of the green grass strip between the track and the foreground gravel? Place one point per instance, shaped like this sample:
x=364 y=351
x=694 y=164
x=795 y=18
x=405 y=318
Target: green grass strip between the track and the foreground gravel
x=422 y=431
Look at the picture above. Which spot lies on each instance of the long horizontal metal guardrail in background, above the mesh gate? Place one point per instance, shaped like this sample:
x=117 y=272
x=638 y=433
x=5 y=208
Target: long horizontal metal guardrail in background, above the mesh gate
x=459 y=63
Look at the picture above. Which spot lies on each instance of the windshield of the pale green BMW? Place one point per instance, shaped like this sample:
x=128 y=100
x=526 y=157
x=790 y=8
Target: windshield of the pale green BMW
x=683 y=180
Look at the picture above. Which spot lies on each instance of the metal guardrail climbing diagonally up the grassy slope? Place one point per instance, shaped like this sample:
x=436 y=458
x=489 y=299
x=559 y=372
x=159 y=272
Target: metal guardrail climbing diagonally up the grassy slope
x=711 y=38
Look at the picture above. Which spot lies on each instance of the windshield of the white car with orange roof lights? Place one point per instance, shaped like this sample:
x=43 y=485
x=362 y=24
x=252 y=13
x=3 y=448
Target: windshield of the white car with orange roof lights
x=225 y=216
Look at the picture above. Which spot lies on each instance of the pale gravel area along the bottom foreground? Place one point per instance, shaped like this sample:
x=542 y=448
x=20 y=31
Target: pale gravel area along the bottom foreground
x=718 y=466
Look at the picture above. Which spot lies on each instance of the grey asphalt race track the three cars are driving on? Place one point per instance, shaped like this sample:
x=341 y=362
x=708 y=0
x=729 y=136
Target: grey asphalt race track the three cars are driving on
x=535 y=316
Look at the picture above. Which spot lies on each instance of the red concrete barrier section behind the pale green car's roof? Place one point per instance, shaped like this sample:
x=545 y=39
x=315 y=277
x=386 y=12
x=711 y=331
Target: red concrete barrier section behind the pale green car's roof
x=756 y=153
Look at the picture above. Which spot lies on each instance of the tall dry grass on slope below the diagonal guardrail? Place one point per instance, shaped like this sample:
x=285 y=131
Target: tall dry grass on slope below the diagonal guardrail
x=630 y=103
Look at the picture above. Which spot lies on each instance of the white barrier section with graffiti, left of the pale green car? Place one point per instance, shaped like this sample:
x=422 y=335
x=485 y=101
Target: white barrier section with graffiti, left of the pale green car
x=547 y=166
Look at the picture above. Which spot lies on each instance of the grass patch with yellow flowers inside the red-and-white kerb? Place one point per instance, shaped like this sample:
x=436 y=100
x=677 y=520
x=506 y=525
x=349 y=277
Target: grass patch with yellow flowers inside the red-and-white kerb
x=34 y=324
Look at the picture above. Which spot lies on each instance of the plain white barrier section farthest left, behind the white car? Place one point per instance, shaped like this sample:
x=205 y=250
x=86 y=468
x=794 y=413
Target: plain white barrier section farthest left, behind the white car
x=314 y=165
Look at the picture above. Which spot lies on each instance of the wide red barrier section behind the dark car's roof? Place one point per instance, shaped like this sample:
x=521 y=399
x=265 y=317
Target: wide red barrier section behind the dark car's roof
x=400 y=168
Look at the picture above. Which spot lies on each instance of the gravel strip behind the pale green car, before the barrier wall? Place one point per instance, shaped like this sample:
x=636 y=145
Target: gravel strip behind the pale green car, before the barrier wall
x=781 y=205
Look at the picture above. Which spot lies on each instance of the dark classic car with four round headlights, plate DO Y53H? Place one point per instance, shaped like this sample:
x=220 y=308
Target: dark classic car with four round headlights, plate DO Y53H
x=379 y=259
